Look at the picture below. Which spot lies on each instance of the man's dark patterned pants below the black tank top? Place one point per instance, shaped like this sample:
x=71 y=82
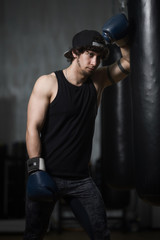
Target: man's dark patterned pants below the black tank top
x=85 y=201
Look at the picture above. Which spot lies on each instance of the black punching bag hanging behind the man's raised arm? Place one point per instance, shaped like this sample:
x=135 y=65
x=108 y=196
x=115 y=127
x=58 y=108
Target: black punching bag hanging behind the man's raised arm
x=116 y=131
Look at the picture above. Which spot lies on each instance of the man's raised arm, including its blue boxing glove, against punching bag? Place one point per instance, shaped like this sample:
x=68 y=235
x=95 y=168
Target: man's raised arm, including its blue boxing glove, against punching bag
x=115 y=31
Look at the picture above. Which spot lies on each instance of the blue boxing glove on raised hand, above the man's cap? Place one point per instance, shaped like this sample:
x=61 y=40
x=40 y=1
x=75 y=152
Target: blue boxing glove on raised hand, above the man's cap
x=115 y=29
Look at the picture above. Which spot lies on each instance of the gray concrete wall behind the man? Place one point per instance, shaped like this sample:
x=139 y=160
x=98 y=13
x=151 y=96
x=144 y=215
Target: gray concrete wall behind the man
x=34 y=36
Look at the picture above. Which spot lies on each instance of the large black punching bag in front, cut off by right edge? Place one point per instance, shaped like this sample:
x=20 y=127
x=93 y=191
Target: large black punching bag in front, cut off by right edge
x=145 y=77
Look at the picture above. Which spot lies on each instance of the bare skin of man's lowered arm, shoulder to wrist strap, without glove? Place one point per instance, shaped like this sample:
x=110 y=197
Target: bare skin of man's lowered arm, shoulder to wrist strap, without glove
x=40 y=99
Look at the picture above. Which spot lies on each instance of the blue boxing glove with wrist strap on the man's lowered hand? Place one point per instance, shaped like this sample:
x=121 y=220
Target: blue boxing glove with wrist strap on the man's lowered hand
x=40 y=186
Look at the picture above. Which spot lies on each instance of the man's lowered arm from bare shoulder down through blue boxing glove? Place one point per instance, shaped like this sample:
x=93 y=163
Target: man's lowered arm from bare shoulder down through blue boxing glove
x=40 y=186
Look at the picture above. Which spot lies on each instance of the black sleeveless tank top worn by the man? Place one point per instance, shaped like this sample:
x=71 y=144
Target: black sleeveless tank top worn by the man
x=68 y=130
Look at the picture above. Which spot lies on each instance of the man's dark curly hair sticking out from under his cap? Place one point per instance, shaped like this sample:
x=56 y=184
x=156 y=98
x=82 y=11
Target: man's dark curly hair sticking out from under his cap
x=104 y=51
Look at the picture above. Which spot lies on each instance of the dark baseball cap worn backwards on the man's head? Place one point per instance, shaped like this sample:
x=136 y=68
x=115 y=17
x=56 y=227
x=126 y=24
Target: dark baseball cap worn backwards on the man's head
x=87 y=38
